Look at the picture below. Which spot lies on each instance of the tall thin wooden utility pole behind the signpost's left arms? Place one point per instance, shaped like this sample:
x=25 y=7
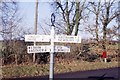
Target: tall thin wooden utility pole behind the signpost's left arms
x=35 y=27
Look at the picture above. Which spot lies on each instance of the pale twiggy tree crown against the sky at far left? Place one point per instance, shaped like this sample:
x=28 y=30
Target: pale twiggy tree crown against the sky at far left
x=10 y=19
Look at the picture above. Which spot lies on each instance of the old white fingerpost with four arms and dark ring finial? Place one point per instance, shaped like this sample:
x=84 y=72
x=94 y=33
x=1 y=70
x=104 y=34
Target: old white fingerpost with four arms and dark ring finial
x=52 y=38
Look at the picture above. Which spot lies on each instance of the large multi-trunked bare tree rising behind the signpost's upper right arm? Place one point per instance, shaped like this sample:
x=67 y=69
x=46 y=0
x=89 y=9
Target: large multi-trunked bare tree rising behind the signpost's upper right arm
x=72 y=14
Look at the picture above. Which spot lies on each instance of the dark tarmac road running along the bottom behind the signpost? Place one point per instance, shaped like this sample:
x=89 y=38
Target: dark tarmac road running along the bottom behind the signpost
x=101 y=74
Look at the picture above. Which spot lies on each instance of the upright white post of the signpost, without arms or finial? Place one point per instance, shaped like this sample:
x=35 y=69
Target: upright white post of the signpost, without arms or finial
x=52 y=55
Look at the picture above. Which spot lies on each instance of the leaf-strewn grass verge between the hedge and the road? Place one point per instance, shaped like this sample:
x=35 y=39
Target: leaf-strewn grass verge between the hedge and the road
x=59 y=67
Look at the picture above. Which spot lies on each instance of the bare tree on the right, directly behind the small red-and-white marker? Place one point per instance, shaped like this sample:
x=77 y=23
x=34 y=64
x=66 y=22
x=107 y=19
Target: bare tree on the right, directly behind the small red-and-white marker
x=108 y=13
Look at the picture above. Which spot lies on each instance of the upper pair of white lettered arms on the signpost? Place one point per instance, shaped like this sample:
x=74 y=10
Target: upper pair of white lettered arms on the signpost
x=57 y=38
